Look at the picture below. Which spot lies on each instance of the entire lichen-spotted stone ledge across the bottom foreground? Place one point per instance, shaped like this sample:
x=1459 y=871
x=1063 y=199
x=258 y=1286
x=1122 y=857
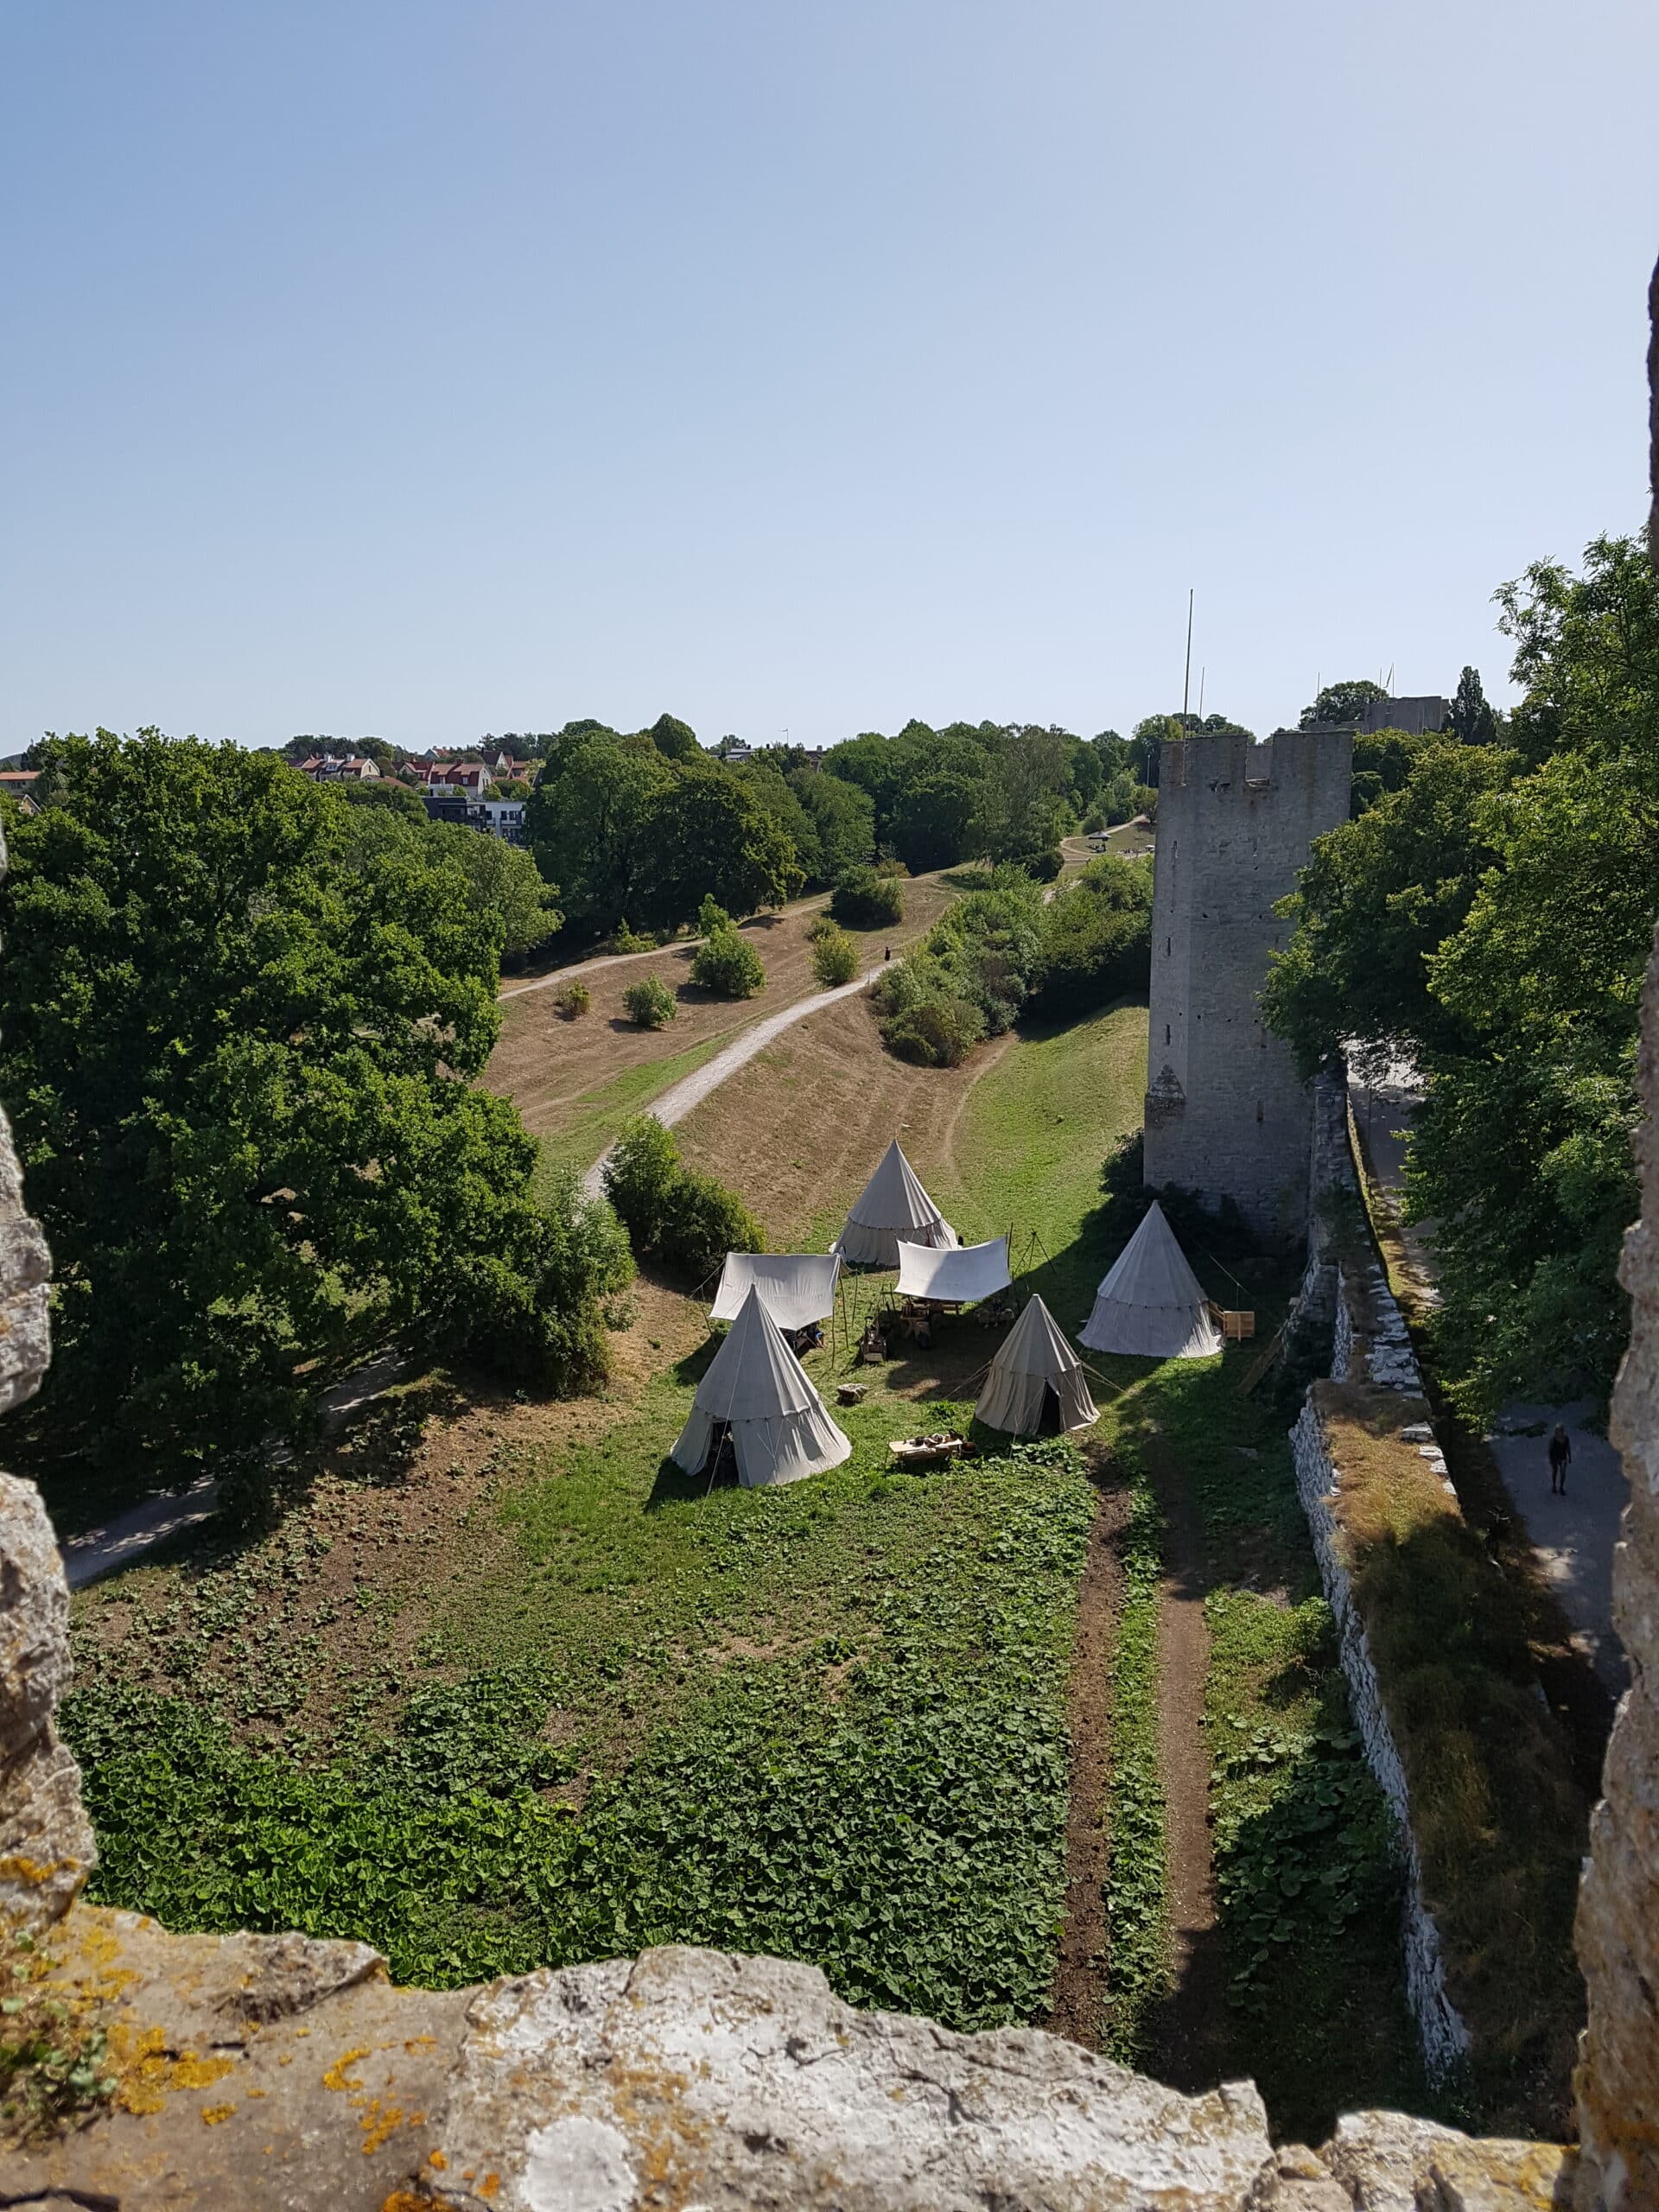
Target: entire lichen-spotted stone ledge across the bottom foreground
x=278 y=2072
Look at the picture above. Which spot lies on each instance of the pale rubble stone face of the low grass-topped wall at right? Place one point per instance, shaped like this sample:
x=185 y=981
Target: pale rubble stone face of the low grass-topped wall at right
x=1446 y=2038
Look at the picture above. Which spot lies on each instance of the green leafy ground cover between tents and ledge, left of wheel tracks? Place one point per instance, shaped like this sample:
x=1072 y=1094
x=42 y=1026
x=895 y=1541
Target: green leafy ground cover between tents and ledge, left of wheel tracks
x=837 y=1729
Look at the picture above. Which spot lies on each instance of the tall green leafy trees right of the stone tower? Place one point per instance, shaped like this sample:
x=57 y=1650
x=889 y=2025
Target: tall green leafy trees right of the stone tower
x=1492 y=919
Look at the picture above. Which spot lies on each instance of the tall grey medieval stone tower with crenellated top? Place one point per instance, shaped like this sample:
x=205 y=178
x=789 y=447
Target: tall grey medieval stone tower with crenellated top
x=1227 y=1114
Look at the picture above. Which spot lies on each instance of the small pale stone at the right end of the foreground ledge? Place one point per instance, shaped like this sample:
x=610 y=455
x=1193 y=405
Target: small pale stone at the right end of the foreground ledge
x=1395 y=2164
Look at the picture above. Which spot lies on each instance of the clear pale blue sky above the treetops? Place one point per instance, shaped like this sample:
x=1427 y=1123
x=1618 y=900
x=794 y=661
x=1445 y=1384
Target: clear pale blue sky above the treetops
x=444 y=368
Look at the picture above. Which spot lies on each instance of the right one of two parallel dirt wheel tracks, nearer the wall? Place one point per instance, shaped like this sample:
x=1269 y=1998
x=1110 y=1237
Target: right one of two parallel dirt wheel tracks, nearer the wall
x=1187 y=2030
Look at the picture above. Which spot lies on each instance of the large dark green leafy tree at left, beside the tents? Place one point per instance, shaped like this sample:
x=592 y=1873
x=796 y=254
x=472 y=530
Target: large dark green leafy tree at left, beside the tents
x=242 y=1039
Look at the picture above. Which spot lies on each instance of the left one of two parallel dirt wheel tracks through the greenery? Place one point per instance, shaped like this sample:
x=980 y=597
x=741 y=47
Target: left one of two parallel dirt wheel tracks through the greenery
x=1081 y=1981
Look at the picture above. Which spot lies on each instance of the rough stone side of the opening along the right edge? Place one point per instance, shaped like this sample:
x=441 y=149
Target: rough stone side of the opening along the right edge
x=1618 y=1926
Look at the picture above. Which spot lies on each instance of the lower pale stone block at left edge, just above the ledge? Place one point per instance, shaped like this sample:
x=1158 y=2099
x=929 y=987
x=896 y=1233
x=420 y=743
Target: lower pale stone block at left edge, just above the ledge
x=45 y=1837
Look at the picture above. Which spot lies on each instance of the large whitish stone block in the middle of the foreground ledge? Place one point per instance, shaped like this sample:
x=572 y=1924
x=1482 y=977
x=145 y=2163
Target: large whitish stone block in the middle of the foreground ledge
x=696 y=2078
